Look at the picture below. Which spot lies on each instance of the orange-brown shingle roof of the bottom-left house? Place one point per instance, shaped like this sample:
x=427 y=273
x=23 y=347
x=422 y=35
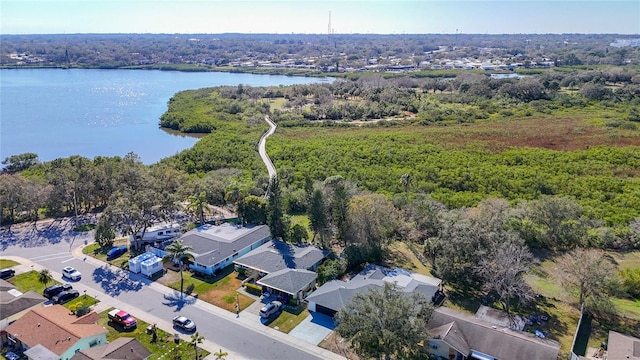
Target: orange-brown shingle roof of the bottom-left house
x=54 y=328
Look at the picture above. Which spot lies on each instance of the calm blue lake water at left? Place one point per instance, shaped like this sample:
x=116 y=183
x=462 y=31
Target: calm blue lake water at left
x=58 y=113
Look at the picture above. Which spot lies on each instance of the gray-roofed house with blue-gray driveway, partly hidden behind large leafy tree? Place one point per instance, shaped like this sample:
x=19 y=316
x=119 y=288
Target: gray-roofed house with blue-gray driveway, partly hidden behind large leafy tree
x=336 y=294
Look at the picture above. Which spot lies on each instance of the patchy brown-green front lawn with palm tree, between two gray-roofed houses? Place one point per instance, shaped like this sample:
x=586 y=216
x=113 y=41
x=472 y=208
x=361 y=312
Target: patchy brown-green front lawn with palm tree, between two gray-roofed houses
x=220 y=290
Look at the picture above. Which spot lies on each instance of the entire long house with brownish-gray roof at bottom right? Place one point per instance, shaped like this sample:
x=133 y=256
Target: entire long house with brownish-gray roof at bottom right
x=457 y=335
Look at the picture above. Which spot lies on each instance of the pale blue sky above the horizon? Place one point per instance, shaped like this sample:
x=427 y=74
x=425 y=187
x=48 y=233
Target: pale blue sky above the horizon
x=307 y=16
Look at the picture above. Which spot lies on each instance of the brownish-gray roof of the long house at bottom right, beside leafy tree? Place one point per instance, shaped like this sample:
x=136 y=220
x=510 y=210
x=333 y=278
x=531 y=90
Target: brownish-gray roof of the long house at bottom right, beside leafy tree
x=499 y=342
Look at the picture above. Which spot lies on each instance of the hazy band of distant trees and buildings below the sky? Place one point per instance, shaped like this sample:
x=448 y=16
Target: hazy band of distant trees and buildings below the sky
x=201 y=52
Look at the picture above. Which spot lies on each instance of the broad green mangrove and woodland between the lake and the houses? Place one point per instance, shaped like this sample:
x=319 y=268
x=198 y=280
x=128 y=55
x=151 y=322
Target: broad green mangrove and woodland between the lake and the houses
x=471 y=172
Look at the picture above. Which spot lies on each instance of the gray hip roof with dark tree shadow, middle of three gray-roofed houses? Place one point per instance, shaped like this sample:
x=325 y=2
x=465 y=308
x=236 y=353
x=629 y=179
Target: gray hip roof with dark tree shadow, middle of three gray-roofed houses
x=277 y=255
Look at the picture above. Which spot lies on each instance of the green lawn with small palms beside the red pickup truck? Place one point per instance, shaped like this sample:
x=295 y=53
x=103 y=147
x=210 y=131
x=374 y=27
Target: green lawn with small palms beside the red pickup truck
x=161 y=348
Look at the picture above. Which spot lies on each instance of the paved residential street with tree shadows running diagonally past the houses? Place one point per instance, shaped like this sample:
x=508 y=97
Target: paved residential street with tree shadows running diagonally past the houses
x=243 y=337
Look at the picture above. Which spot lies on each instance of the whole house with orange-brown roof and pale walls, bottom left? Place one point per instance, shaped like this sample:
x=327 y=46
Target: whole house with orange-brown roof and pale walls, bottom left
x=54 y=333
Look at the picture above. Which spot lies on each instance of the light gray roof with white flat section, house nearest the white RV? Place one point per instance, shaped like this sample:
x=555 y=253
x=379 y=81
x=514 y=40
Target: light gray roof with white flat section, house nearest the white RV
x=211 y=244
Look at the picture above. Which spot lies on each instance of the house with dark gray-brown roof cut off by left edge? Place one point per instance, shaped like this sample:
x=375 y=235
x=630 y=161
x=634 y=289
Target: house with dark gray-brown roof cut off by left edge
x=14 y=304
